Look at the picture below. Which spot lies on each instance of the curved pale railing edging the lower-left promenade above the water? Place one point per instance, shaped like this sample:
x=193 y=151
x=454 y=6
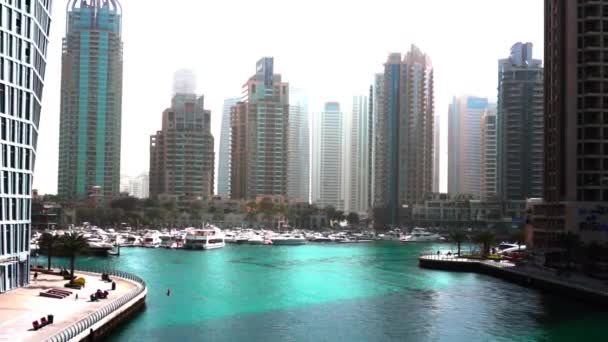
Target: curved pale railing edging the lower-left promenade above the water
x=87 y=322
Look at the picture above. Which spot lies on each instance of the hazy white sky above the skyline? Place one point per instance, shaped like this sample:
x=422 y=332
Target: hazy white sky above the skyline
x=331 y=48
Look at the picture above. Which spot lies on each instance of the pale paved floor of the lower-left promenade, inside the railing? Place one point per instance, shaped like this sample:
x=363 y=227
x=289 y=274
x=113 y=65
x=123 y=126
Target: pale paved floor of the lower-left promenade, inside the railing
x=20 y=307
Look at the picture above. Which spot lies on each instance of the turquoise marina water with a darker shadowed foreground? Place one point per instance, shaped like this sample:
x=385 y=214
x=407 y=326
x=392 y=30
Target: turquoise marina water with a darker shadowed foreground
x=359 y=292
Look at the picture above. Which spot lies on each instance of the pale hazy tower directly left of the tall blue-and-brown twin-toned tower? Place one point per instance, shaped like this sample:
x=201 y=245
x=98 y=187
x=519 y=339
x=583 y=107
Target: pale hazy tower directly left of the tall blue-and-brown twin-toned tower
x=358 y=156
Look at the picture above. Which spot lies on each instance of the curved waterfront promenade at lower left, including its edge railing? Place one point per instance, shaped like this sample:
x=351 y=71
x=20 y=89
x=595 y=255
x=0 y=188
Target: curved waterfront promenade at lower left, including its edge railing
x=74 y=315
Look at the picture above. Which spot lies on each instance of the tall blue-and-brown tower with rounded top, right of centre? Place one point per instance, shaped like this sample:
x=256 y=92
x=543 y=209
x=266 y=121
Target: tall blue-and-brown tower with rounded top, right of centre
x=404 y=139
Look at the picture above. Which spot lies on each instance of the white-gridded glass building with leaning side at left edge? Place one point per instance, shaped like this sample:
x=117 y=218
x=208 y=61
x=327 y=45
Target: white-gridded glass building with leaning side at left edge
x=23 y=48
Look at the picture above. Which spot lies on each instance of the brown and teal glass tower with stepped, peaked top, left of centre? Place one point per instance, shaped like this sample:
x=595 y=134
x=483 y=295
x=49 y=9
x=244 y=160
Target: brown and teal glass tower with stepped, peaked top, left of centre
x=260 y=129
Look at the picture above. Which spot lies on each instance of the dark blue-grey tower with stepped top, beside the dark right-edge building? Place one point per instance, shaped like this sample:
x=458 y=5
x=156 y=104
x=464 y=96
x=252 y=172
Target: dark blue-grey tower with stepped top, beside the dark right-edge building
x=520 y=122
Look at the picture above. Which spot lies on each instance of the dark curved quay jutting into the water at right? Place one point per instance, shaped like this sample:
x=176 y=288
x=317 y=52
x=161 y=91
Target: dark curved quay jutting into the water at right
x=537 y=277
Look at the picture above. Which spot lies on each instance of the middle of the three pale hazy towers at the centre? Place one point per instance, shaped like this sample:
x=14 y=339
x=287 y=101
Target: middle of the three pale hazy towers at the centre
x=328 y=157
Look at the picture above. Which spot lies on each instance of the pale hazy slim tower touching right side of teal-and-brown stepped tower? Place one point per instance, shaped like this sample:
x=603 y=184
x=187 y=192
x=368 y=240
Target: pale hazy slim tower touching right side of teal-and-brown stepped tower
x=298 y=155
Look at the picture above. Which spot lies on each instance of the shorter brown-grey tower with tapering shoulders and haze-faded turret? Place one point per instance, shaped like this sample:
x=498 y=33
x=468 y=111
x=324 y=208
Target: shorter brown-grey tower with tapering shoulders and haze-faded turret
x=181 y=153
